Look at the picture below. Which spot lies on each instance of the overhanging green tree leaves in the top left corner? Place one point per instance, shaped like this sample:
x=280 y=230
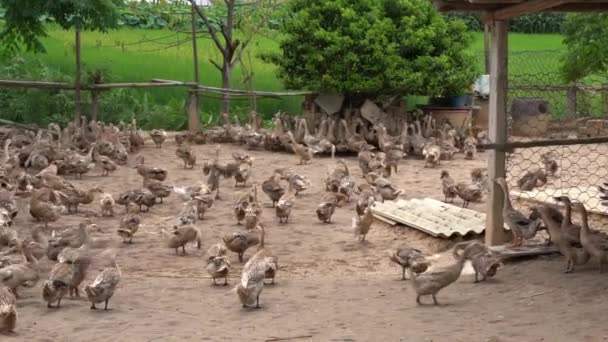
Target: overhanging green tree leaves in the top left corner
x=24 y=26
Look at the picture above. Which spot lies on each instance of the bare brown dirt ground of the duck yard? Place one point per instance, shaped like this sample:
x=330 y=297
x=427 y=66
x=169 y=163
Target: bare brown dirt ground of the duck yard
x=329 y=287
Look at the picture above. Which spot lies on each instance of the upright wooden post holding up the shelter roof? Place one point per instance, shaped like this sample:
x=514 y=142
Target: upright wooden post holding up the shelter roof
x=497 y=129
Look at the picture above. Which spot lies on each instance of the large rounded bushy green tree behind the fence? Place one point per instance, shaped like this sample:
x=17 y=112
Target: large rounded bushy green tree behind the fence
x=373 y=47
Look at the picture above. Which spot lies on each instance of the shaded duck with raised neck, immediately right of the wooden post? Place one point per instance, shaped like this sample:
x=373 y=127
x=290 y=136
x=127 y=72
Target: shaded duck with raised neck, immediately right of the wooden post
x=521 y=225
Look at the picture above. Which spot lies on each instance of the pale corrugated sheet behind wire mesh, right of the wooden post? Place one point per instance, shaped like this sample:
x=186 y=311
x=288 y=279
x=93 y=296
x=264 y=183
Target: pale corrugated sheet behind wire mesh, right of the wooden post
x=587 y=195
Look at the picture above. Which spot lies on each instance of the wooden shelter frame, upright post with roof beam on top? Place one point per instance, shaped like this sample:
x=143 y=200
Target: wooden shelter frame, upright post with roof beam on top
x=496 y=14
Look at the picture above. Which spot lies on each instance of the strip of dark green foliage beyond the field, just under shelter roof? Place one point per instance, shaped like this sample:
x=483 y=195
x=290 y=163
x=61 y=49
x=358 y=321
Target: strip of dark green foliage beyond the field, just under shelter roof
x=532 y=23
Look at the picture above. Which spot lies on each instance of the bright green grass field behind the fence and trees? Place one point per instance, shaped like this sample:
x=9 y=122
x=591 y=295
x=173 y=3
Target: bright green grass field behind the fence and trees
x=138 y=55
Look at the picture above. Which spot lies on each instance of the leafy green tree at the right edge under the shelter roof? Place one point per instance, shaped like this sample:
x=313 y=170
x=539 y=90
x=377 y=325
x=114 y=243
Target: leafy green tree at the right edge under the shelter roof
x=587 y=49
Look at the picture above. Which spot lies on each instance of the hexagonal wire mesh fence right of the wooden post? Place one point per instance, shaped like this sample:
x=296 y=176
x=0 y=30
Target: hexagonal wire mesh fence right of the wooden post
x=541 y=106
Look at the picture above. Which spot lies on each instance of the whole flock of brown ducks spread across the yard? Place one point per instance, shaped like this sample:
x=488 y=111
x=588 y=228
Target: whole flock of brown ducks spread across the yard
x=37 y=166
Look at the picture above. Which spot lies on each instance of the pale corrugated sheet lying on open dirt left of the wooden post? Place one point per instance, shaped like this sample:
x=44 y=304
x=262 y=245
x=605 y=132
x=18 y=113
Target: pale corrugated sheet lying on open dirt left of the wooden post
x=433 y=217
